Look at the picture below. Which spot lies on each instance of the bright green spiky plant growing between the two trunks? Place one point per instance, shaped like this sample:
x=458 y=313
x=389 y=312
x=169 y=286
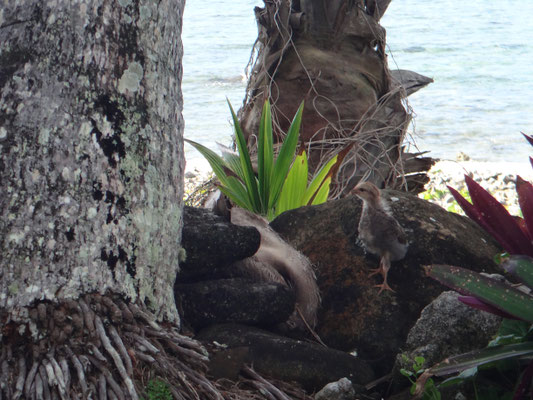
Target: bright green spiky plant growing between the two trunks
x=281 y=182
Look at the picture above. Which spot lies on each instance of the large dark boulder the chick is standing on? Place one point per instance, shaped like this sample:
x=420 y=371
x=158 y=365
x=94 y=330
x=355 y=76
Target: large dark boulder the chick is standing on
x=353 y=316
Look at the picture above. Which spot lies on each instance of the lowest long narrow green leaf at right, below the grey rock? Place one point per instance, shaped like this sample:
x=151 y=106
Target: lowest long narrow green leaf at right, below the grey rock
x=480 y=357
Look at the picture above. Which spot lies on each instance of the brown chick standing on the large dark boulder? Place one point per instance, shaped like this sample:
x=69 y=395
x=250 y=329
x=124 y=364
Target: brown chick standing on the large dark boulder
x=379 y=231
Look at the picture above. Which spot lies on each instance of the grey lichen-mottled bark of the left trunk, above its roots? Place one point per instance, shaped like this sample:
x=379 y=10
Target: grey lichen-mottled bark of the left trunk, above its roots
x=91 y=158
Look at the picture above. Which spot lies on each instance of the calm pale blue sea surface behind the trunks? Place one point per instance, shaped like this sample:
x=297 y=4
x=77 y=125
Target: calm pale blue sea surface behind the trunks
x=480 y=54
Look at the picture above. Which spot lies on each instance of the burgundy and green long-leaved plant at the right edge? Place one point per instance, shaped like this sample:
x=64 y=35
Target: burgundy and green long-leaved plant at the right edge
x=515 y=234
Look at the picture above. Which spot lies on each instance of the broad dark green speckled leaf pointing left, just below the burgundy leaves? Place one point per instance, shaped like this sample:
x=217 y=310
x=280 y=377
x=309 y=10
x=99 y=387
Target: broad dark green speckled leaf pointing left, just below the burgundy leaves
x=498 y=294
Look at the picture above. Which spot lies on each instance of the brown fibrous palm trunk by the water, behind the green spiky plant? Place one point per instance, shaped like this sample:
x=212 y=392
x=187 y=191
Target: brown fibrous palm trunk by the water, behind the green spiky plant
x=332 y=55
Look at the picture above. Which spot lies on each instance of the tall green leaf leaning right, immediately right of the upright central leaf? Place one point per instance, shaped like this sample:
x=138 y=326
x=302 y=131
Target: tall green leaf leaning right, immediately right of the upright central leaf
x=285 y=157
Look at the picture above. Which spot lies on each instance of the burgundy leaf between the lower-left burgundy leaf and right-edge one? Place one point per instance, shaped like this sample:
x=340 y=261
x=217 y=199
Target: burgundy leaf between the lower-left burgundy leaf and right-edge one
x=498 y=218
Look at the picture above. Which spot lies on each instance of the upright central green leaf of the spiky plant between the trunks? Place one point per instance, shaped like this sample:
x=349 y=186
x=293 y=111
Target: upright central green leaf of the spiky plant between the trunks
x=265 y=154
